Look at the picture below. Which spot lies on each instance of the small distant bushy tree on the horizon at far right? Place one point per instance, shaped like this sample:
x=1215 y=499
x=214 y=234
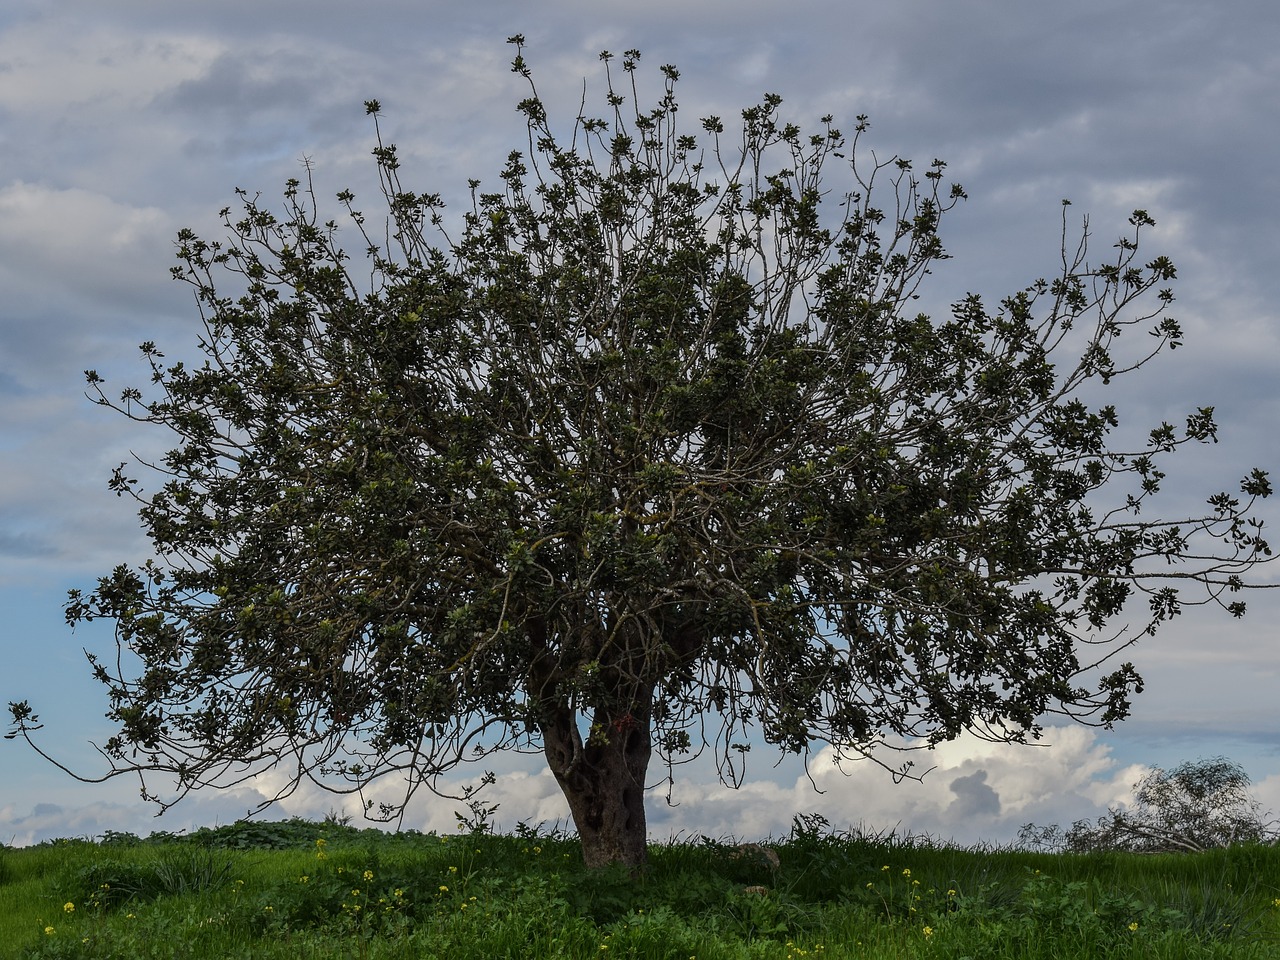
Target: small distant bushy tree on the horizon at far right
x=1195 y=807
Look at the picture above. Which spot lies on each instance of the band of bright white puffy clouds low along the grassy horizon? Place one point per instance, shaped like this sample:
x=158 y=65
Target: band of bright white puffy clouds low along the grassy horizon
x=976 y=793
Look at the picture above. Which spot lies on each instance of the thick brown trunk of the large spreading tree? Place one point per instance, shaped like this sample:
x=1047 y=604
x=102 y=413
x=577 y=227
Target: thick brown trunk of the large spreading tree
x=604 y=781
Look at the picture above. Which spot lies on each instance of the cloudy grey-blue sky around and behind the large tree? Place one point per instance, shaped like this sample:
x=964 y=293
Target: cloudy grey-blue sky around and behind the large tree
x=122 y=124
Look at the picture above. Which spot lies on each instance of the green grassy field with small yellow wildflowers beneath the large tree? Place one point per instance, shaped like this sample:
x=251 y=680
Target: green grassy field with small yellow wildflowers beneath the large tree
x=299 y=890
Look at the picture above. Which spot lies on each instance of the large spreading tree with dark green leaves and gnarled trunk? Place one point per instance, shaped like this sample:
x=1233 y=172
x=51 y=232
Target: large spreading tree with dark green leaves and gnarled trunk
x=650 y=451
